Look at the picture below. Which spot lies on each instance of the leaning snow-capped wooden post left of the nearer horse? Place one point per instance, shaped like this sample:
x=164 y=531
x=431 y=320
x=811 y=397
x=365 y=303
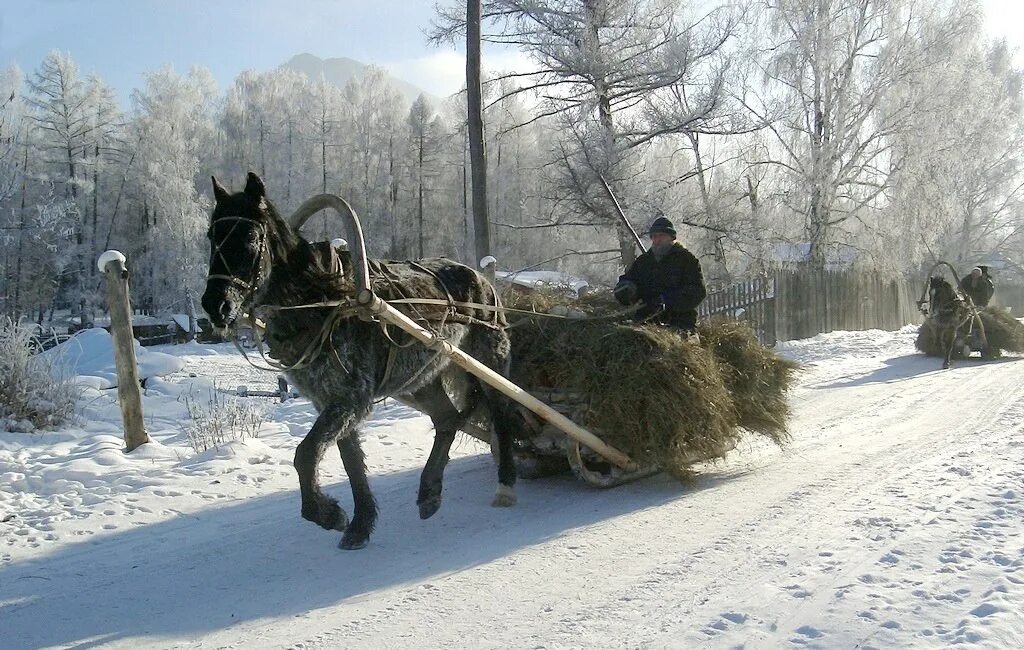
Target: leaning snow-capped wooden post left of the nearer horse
x=112 y=265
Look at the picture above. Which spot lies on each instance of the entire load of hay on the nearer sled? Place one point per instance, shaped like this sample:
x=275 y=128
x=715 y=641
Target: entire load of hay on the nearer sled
x=662 y=399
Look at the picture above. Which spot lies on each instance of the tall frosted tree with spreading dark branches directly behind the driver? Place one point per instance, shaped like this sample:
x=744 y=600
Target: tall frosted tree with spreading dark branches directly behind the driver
x=617 y=75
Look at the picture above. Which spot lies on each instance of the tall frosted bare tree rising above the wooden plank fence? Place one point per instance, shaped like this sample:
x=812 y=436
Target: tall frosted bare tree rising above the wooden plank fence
x=841 y=68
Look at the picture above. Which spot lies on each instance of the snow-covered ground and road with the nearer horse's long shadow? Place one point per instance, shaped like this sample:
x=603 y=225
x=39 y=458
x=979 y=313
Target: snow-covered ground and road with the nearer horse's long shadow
x=894 y=519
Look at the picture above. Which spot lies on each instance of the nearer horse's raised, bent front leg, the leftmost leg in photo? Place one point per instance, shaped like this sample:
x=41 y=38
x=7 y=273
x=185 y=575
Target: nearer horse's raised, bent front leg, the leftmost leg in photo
x=318 y=507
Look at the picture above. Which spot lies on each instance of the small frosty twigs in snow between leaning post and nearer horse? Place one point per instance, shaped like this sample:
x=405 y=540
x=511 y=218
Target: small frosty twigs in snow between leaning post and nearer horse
x=226 y=419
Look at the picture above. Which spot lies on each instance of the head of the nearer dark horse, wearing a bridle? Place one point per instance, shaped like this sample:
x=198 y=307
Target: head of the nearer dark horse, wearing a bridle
x=241 y=228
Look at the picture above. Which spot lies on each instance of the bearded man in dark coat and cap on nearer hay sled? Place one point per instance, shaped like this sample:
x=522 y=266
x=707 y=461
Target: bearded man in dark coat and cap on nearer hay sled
x=668 y=279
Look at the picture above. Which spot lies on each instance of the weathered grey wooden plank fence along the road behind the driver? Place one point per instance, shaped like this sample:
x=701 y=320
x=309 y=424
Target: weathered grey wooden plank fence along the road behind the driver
x=797 y=305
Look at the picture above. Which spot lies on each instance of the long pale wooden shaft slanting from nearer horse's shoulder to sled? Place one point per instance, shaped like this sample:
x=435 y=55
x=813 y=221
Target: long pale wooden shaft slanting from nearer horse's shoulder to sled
x=472 y=366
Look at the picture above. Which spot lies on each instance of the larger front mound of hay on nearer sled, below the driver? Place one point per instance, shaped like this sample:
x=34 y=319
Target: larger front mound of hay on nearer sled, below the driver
x=646 y=391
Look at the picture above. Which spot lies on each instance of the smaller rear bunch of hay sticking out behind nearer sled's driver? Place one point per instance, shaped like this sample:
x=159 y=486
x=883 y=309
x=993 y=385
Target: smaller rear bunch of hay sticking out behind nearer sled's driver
x=757 y=378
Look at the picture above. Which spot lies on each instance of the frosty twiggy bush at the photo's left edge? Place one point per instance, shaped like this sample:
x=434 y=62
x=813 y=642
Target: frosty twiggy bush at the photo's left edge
x=32 y=397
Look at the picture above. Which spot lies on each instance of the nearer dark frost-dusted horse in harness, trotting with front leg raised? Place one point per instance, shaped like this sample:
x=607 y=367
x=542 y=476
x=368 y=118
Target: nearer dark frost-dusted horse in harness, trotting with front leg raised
x=345 y=364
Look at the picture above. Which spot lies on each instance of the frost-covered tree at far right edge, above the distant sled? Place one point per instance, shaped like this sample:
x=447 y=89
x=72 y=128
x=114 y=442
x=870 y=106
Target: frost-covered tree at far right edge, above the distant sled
x=962 y=190
